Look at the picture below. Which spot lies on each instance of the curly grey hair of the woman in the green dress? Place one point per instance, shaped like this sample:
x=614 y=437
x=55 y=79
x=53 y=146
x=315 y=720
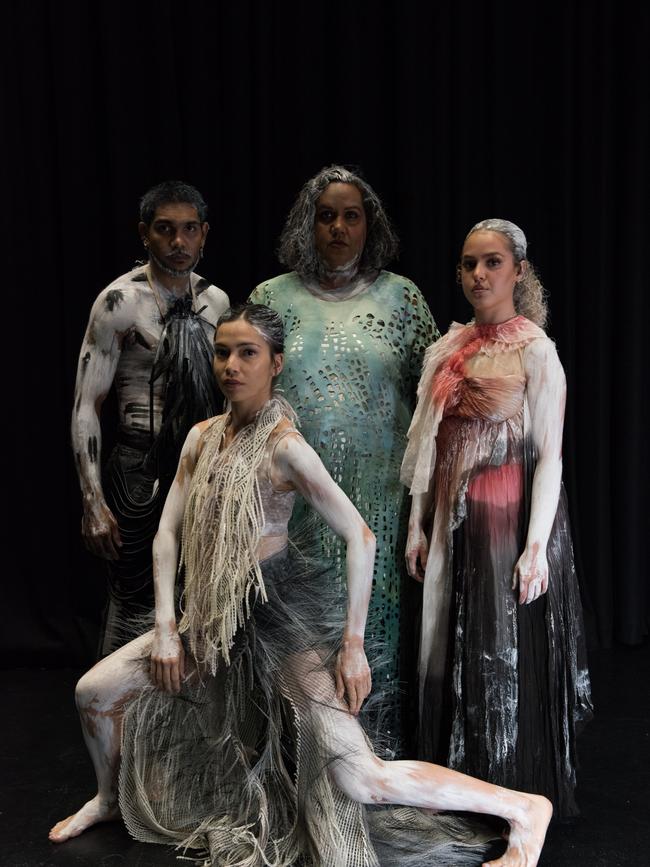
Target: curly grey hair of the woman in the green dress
x=297 y=248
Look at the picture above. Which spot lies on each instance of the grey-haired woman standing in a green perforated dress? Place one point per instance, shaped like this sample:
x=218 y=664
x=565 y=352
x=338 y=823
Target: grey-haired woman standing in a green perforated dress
x=355 y=340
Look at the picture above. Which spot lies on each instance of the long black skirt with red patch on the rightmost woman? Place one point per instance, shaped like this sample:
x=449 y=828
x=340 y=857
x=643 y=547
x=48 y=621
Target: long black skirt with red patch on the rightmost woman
x=515 y=688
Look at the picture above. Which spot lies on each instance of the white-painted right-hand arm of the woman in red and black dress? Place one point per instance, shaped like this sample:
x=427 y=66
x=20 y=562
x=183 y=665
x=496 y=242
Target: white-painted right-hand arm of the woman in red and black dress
x=546 y=393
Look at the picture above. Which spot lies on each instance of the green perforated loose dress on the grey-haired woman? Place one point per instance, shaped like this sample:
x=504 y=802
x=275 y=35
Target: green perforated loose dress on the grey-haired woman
x=351 y=371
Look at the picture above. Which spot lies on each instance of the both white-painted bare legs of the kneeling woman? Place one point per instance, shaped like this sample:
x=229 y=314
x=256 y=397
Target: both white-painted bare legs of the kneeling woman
x=362 y=776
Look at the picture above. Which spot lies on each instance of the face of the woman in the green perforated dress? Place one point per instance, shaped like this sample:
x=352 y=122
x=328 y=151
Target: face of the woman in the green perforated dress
x=340 y=226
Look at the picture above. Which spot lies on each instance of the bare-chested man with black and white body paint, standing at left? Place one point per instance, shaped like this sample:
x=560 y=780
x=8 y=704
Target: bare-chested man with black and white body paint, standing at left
x=150 y=334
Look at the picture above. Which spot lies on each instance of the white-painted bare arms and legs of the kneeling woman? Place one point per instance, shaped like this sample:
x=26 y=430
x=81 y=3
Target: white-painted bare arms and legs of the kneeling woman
x=361 y=775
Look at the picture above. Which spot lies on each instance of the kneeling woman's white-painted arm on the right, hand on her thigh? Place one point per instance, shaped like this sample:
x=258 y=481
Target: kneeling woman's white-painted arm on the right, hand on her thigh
x=297 y=464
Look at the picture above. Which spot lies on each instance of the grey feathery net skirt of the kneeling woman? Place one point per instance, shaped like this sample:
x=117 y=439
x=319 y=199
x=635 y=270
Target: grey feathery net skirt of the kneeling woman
x=235 y=769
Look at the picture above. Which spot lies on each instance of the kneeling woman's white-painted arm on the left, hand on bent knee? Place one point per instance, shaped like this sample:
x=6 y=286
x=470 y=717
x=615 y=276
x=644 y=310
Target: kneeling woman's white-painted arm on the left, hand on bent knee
x=167 y=655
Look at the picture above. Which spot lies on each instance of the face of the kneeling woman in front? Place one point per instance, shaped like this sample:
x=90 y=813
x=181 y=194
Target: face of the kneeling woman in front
x=244 y=364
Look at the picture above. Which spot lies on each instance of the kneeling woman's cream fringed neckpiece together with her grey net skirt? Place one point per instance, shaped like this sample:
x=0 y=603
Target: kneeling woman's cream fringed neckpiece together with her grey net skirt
x=234 y=769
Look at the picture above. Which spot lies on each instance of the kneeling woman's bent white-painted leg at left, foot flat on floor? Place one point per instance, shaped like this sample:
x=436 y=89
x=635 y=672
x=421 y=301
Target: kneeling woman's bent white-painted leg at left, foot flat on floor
x=100 y=696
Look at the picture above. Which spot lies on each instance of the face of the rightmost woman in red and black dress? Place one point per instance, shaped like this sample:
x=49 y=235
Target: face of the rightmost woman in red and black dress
x=488 y=275
